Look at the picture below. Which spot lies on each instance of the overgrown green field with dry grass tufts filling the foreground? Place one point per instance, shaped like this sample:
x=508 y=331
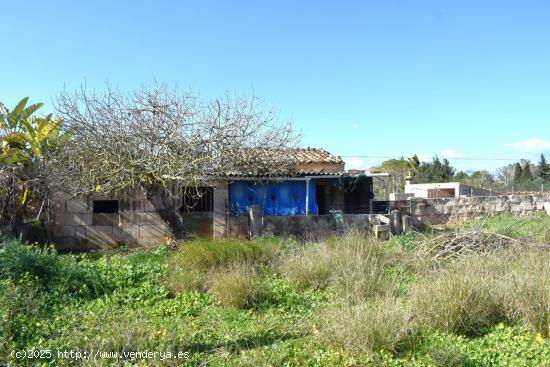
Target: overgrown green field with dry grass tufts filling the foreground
x=346 y=301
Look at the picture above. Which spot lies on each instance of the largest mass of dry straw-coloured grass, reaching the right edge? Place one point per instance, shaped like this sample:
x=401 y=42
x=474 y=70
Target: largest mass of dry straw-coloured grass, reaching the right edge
x=471 y=294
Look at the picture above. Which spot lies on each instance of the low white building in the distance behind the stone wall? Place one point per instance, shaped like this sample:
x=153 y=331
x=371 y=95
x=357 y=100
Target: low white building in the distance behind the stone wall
x=445 y=190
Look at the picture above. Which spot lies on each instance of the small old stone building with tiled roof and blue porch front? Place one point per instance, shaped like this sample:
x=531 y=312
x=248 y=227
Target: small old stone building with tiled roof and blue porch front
x=317 y=186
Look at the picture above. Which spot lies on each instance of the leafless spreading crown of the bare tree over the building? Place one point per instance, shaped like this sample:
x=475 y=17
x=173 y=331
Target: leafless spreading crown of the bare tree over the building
x=159 y=136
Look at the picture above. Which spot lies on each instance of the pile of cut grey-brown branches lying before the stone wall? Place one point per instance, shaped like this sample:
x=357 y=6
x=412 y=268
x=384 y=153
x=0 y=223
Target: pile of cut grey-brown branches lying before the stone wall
x=475 y=241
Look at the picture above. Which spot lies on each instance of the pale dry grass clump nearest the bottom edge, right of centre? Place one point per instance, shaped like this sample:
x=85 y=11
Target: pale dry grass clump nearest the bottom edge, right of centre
x=381 y=324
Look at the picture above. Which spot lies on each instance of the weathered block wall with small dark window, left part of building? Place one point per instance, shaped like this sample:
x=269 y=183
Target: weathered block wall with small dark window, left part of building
x=139 y=222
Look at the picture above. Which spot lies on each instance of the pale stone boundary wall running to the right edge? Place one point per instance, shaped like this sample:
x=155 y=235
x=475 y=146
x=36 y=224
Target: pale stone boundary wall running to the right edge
x=438 y=211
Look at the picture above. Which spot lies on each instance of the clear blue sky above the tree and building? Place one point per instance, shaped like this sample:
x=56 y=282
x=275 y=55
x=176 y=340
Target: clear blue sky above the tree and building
x=365 y=79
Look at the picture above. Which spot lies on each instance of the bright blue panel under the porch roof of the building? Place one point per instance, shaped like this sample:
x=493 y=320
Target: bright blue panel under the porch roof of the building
x=276 y=198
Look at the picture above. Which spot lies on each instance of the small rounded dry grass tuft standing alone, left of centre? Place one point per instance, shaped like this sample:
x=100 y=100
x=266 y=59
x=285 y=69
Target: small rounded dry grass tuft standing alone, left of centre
x=236 y=285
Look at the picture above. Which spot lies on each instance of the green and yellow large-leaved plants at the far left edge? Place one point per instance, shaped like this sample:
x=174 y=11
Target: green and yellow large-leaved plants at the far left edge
x=27 y=145
